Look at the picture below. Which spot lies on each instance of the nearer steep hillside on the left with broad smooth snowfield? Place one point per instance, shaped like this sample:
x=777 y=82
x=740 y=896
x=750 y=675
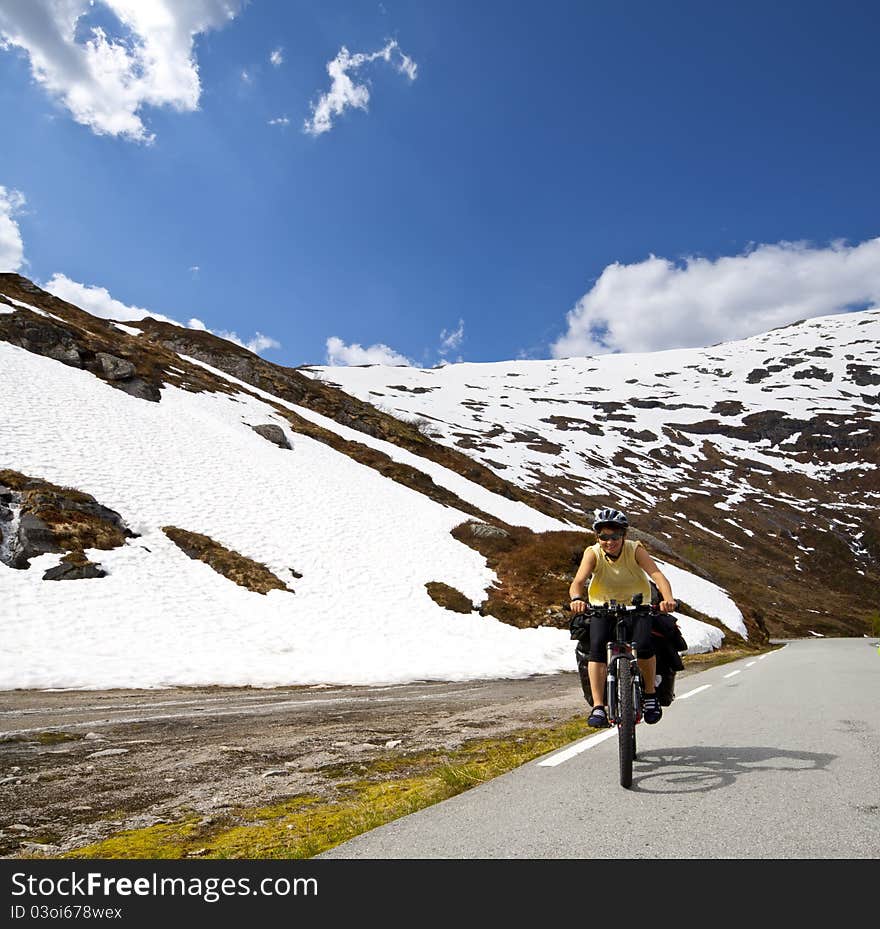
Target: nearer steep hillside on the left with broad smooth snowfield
x=164 y=522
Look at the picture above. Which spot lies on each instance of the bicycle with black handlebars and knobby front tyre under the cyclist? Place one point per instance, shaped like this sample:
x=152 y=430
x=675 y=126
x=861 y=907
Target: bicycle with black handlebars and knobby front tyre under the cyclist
x=624 y=687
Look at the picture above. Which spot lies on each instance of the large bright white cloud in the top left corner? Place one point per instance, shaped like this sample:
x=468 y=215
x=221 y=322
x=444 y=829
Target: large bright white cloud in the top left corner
x=106 y=80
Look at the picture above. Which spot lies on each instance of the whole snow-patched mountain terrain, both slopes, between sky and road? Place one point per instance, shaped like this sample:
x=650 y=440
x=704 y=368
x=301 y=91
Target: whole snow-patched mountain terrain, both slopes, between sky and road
x=177 y=510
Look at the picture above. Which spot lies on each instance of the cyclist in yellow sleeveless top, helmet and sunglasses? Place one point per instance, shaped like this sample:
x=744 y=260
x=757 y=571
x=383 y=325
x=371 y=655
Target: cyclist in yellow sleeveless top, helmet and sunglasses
x=618 y=570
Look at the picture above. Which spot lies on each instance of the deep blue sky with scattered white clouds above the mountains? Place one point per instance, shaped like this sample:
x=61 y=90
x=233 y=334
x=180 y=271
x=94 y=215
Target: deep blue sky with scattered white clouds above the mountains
x=523 y=180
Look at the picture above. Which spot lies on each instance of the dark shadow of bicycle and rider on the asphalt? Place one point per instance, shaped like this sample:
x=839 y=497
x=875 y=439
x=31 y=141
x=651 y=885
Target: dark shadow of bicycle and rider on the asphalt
x=698 y=769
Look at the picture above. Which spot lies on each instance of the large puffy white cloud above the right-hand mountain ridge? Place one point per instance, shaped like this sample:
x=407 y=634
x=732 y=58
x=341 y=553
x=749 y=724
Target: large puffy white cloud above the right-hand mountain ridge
x=657 y=304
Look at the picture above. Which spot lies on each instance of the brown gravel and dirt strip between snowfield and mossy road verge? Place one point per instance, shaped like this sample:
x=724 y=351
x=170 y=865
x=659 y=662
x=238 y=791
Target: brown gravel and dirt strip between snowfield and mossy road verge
x=79 y=766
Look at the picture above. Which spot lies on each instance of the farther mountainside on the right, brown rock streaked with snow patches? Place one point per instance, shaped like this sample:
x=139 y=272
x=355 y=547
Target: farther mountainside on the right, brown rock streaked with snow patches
x=754 y=461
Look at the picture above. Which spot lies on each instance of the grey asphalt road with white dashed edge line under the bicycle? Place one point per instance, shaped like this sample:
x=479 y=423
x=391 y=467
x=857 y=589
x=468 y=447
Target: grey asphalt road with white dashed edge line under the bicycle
x=771 y=757
